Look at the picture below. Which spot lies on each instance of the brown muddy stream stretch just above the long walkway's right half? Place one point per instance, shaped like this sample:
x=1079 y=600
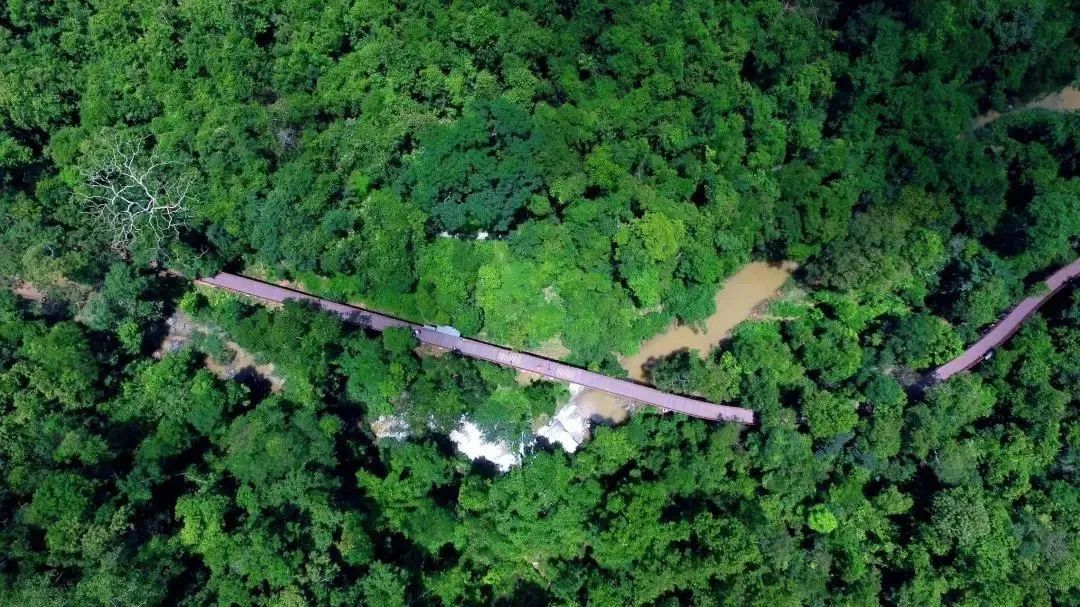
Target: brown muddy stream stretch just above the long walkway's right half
x=741 y=295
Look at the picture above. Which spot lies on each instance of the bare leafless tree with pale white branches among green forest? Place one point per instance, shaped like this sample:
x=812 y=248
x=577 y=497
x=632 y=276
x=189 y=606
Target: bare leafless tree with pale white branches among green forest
x=134 y=195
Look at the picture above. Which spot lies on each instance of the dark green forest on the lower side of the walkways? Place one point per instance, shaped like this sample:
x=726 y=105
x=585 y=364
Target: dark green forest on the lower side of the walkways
x=268 y=500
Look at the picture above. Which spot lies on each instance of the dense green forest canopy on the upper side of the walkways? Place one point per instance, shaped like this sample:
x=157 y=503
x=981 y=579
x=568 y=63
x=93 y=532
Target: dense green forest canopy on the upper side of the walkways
x=622 y=158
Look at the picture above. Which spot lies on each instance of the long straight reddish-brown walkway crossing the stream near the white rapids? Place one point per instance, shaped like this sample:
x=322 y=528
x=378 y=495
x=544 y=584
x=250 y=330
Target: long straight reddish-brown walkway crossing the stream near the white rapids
x=481 y=350
